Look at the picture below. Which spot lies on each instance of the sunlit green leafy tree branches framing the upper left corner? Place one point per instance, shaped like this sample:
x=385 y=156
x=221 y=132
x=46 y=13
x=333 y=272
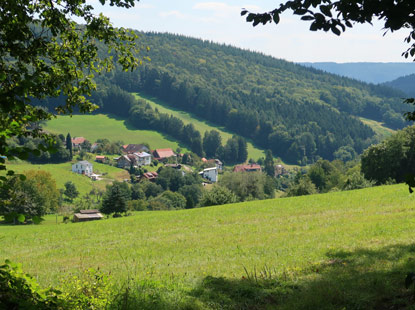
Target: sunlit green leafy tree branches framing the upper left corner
x=45 y=52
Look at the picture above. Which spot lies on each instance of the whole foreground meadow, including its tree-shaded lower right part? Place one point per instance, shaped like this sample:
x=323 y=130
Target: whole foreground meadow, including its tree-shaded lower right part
x=343 y=250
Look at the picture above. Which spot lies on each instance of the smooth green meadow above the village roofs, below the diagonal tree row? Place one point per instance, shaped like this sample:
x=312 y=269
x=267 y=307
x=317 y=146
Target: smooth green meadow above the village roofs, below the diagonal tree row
x=93 y=127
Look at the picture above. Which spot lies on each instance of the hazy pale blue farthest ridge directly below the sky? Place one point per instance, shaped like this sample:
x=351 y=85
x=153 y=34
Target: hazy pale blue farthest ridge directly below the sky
x=369 y=72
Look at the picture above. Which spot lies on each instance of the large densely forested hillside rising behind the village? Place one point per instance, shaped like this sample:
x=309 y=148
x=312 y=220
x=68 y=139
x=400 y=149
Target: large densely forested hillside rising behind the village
x=299 y=113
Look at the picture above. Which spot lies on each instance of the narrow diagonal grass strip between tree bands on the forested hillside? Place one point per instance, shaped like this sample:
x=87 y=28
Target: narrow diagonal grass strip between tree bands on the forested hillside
x=200 y=125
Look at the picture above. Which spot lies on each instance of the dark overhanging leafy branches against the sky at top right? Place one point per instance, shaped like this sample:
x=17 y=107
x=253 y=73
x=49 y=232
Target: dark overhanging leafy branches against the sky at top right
x=336 y=16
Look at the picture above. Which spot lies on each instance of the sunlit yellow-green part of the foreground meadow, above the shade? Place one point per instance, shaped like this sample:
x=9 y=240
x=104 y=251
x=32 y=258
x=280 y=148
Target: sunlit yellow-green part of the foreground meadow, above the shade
x=287 y=235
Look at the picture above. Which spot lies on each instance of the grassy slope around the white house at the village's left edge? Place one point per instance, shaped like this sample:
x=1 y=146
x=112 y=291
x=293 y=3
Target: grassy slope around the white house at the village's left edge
x=62 y=173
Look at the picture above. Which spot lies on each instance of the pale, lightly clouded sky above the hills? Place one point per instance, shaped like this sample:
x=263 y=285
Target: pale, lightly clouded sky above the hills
x=220 y=21
